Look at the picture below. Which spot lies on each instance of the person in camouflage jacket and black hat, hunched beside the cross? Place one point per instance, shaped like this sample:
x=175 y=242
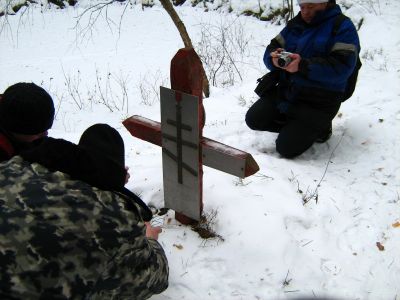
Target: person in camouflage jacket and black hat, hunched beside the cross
x=69 y=229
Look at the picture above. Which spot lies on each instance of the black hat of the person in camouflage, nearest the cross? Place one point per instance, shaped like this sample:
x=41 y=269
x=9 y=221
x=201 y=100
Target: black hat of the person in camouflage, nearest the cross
x=106 y=147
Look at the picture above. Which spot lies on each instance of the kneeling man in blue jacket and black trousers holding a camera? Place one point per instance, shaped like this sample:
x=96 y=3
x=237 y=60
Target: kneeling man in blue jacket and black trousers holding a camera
x=312 y=62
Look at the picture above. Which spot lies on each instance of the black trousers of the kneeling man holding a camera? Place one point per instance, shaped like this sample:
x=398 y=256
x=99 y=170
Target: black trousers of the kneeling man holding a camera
x=298 y=128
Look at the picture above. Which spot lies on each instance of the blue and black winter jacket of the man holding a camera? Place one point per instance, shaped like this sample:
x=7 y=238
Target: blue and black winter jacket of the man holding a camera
x=327 y=59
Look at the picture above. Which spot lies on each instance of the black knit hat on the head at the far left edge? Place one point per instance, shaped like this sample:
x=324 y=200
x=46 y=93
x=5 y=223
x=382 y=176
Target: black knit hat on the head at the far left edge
x=26 y=108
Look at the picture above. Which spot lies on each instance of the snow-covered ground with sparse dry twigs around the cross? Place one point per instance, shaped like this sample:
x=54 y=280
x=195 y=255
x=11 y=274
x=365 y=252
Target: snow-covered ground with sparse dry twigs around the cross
x=272 y=245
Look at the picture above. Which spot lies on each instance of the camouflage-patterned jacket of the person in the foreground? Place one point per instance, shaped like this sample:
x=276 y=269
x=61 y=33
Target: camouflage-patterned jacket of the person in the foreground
x=64 y=239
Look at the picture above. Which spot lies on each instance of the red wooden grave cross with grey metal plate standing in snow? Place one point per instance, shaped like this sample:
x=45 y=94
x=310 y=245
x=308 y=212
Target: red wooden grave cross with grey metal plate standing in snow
x=184 y=149
